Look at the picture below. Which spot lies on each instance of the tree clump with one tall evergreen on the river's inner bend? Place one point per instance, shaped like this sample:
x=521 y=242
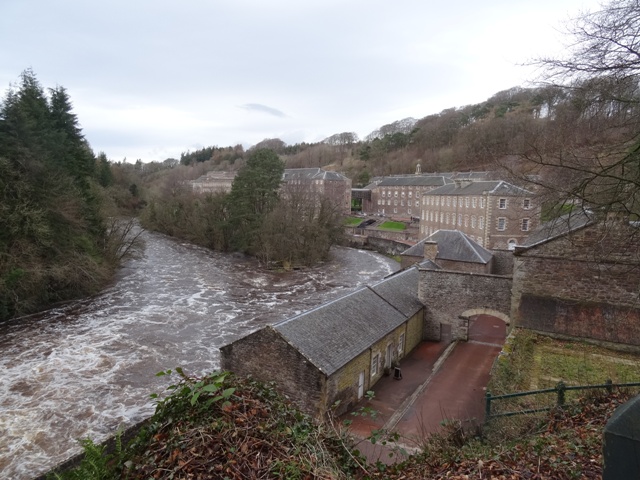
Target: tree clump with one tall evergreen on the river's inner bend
x=261 y=217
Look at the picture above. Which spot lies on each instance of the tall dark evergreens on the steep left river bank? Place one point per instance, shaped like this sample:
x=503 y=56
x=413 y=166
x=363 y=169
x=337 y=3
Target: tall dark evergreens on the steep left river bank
x=59 y=236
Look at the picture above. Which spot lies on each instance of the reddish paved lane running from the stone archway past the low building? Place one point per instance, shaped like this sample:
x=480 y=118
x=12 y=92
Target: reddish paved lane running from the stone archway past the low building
x=440 y=382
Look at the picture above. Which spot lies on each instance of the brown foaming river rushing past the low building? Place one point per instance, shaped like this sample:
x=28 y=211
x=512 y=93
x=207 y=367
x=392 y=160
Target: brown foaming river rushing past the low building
x=88 y=368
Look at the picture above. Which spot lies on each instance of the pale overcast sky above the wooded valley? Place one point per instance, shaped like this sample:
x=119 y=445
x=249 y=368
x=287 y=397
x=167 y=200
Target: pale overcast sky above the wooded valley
x=150 y=79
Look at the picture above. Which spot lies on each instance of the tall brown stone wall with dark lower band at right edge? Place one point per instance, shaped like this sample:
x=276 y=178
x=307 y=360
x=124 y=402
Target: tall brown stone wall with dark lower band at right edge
x=585 y=284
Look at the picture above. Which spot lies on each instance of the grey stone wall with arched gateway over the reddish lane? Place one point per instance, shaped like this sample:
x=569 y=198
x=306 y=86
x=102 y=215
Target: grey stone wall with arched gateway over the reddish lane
x=447 y=295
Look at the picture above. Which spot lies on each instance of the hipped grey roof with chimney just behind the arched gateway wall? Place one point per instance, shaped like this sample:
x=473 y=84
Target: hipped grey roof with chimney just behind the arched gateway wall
x=453 y=245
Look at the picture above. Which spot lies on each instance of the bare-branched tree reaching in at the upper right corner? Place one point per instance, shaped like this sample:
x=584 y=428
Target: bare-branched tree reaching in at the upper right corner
x=585 y=149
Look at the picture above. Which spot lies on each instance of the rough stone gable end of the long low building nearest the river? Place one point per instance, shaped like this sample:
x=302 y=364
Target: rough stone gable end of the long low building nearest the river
x=265 y=356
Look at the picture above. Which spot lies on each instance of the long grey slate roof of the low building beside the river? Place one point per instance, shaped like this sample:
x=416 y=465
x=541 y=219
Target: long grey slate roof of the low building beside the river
x=333 y=334
